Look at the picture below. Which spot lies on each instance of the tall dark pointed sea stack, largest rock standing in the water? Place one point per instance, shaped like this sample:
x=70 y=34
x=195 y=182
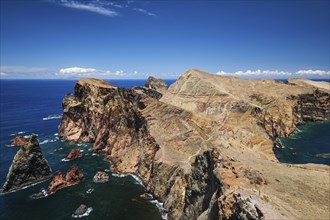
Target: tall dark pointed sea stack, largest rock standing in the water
x=29 y=166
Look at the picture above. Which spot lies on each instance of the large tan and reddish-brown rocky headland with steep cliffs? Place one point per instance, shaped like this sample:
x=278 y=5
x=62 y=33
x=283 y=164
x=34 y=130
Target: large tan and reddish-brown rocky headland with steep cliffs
x=205 y=148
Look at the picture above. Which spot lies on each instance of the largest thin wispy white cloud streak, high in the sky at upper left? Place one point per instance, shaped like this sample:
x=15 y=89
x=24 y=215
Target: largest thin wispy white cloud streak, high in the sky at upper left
x=93 y=6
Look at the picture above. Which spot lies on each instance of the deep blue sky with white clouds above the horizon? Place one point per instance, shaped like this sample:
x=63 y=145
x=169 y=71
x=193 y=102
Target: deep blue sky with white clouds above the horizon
x=134 y=39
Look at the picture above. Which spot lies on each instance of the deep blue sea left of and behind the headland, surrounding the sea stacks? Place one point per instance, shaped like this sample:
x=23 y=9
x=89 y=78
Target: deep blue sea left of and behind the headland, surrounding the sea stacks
x=23 y=106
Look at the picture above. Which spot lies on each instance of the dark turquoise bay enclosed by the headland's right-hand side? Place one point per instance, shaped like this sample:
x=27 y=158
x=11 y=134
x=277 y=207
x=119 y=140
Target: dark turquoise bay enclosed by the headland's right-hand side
x=310 y=145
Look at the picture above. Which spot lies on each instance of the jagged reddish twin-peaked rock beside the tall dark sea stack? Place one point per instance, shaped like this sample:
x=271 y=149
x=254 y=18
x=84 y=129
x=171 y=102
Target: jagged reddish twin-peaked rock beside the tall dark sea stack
x=72 y=177
